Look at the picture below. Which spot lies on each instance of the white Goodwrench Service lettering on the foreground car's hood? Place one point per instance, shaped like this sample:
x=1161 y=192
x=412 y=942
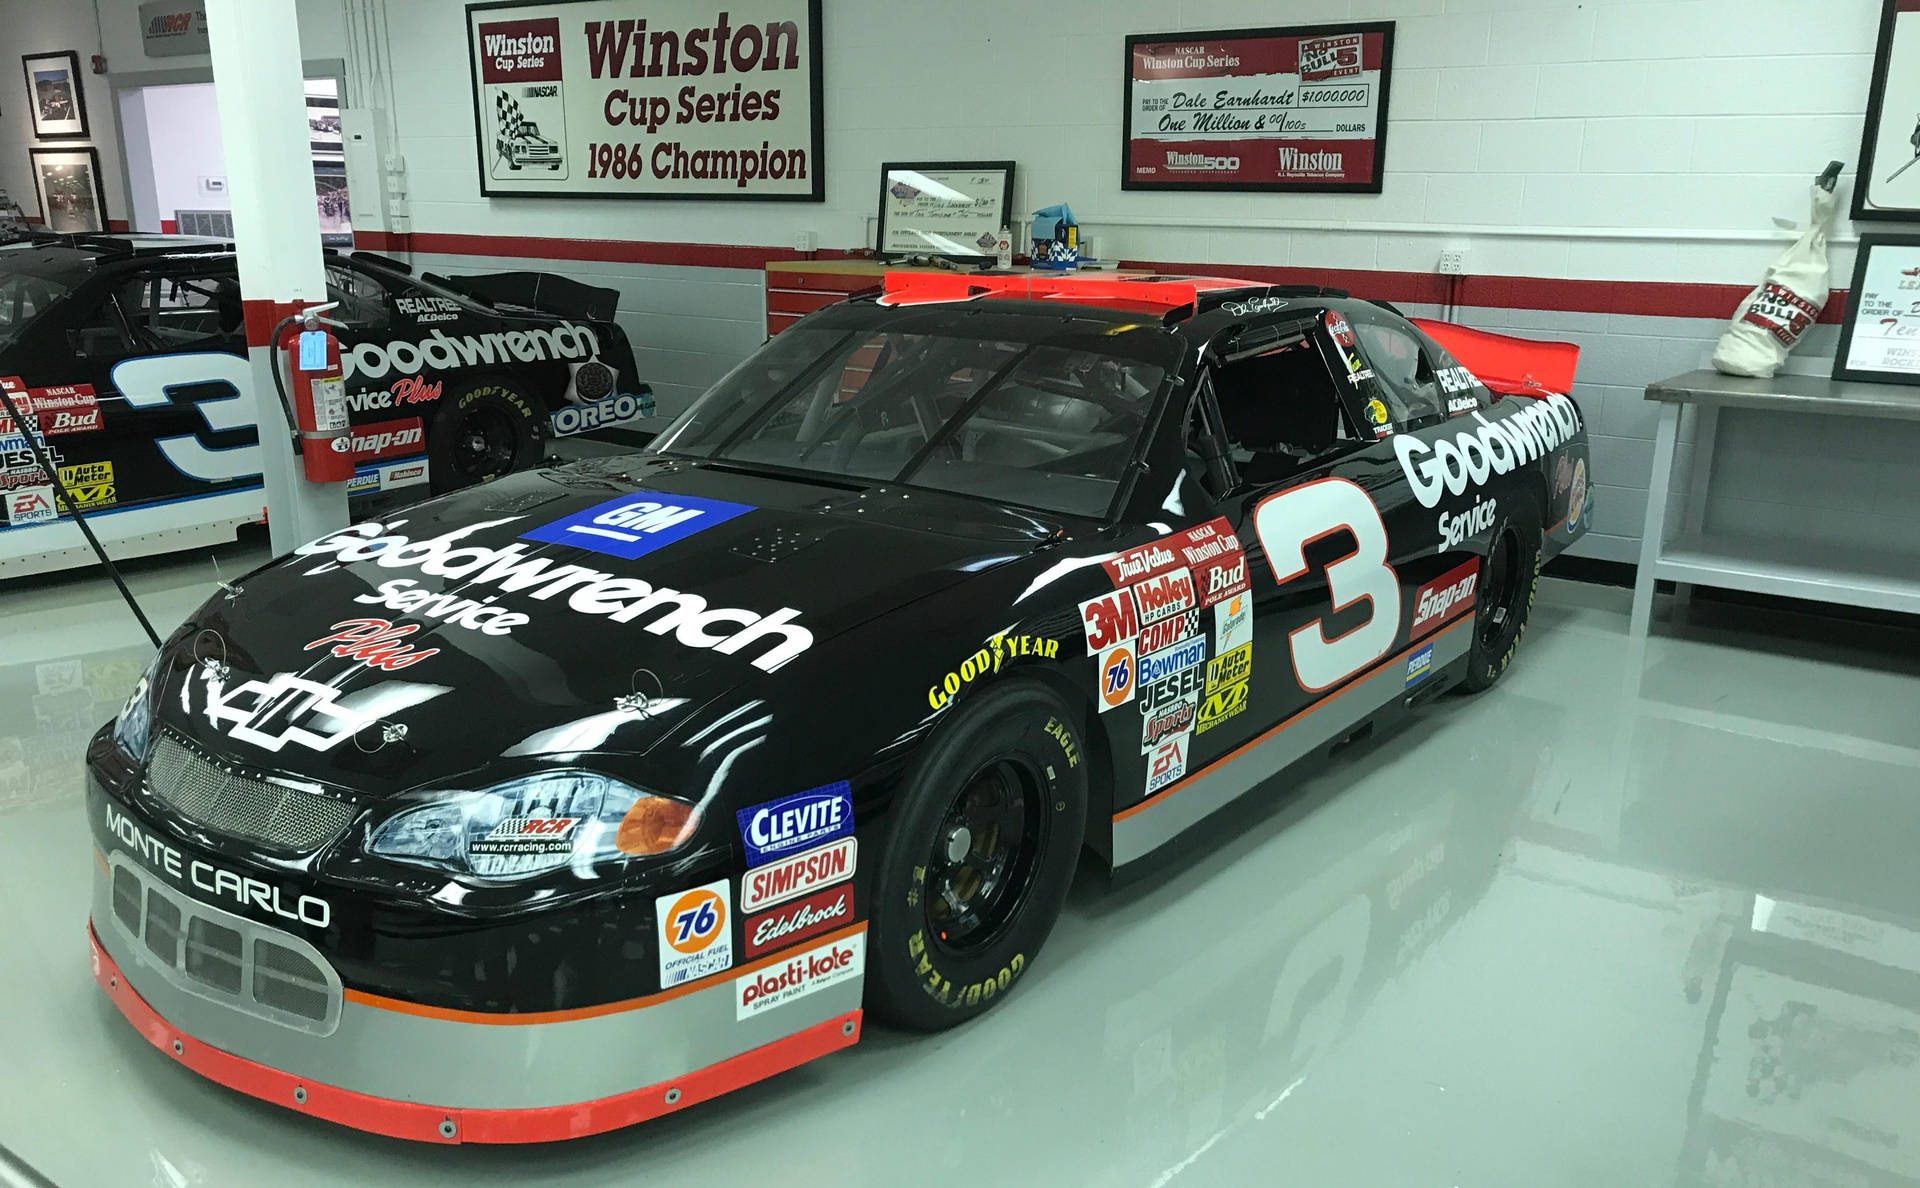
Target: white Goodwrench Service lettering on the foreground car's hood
x=475 y=567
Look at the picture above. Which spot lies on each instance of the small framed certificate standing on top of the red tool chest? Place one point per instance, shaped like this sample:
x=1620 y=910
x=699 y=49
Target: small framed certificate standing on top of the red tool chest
x=946 y=208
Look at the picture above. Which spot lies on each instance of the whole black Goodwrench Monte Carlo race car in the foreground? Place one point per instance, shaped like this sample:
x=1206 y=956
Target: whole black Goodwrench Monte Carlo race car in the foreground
x=569 y=801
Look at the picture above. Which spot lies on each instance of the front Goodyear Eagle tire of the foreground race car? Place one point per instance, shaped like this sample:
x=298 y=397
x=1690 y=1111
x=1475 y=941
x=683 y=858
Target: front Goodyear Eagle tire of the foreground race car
x=978 y=859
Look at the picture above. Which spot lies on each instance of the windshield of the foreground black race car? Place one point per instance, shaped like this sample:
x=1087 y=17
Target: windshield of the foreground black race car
x=1047 y=425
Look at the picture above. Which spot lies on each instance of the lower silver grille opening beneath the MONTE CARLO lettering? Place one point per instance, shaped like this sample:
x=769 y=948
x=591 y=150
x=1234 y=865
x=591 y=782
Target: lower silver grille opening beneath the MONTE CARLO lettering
x=224 y=957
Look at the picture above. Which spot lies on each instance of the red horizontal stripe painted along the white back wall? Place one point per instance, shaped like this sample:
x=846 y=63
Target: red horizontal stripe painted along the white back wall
x=1641 y=298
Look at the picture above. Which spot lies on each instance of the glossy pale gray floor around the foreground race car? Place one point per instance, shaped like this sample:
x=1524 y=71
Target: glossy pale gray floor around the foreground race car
x=1631 y=918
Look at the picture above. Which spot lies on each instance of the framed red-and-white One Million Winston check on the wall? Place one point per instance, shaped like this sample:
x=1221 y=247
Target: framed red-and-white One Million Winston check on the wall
x=1291 y=110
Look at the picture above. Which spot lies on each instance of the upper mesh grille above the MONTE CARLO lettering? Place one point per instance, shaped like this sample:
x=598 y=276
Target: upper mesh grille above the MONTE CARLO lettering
x=274 y=815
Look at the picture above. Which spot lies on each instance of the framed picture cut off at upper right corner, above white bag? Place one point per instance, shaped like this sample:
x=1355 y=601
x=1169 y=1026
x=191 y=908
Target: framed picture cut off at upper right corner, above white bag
x=1888 y=185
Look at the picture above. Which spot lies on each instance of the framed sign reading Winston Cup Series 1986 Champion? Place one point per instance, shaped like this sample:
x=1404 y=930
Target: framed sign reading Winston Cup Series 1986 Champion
x=648 y=99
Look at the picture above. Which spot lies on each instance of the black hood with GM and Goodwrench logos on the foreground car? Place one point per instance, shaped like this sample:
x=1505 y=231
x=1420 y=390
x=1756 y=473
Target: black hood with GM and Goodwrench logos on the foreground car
x=562 y=613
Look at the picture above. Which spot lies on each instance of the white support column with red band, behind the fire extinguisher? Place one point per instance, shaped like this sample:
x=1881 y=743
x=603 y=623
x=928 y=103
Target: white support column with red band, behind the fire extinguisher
x=277 y=229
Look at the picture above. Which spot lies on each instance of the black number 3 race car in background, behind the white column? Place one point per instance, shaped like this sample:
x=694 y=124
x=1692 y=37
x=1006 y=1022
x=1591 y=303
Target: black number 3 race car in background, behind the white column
x=128 y=354
